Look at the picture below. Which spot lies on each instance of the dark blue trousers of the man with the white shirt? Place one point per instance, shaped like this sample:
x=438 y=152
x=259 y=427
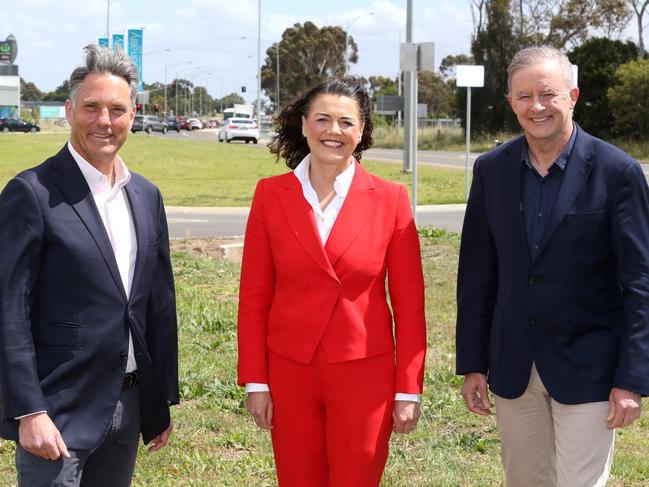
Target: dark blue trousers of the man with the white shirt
x=111 y=464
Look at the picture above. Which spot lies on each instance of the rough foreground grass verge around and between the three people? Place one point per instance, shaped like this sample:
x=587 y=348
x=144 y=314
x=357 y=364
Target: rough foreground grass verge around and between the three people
x=215 y=444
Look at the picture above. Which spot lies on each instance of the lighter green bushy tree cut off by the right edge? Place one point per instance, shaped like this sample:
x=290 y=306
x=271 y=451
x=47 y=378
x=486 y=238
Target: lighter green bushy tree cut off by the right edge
x=628 y=100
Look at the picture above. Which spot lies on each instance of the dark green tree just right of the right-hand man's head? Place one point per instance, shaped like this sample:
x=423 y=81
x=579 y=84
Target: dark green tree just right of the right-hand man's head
x=598 y=59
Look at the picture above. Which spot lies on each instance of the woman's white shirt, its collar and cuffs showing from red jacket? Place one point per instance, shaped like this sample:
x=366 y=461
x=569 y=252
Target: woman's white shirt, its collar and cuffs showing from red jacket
x=325 y=220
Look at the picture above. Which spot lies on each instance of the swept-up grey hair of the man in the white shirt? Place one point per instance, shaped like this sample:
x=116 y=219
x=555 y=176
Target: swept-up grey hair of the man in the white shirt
x=102 y=60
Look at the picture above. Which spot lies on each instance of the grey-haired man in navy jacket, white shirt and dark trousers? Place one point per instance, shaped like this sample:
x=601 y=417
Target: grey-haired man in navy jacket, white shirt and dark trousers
x=88 y=338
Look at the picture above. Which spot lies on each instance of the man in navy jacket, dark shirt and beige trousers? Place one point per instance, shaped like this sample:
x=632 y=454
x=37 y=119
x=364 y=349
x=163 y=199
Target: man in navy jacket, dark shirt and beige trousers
x=553 y=286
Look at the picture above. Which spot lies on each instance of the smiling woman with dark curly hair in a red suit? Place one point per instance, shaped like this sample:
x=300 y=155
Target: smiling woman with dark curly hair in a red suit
x=326 y=366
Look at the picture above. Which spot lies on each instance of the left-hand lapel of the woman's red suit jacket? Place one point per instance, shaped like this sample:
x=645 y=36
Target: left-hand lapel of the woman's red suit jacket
x=302 y=222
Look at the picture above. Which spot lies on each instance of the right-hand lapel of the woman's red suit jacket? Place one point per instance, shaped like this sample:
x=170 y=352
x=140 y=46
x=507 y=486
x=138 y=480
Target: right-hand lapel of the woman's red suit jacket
x=359 y=204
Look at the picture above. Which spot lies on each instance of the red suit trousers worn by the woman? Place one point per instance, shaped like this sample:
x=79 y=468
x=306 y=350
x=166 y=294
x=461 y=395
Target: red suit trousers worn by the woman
x=332 y=422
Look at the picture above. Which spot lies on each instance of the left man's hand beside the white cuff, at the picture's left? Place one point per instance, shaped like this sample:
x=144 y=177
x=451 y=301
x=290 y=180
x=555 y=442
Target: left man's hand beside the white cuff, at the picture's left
x=39 y=436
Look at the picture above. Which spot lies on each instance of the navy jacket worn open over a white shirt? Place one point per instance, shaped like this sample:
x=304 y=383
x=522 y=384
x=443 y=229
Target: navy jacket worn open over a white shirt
x=64 y=314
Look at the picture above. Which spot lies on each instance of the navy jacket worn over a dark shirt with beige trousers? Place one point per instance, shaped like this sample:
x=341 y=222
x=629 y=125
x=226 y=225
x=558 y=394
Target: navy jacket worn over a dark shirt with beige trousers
x=580 y=310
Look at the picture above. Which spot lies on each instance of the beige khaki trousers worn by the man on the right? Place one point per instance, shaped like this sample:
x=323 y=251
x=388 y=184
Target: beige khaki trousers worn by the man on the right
x=546 y=443
